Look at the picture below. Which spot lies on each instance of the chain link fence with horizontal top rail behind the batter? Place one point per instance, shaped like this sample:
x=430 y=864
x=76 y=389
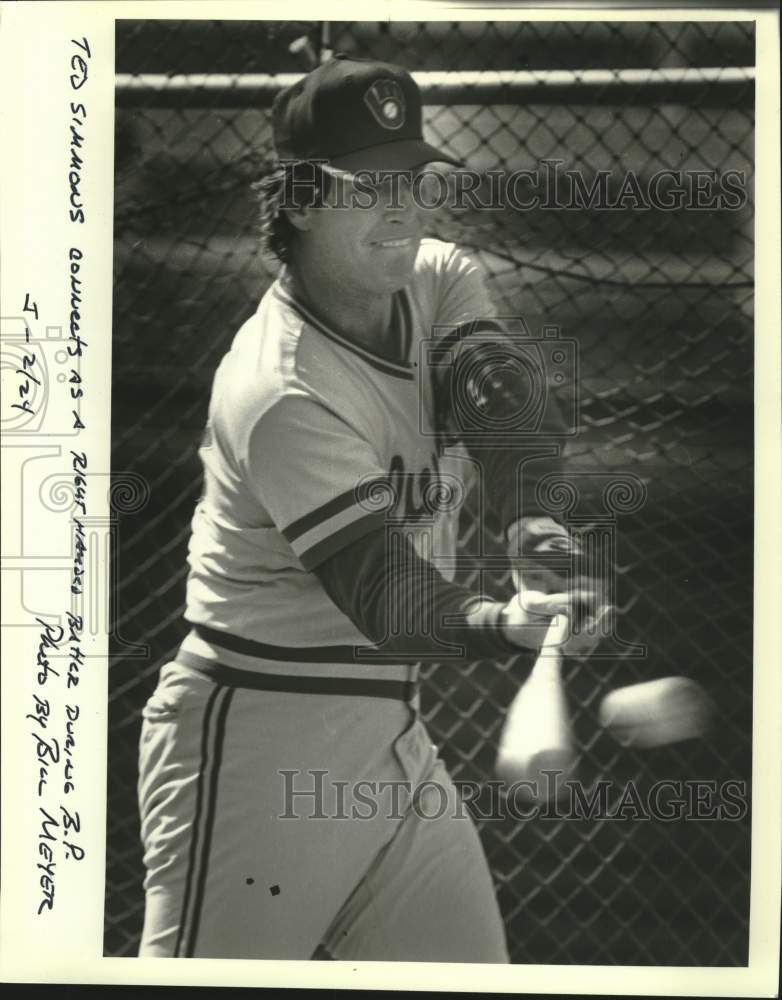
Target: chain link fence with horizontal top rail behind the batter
x=660 y=301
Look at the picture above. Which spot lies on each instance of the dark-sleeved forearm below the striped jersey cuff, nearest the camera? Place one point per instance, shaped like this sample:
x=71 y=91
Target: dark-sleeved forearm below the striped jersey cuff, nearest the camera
x=404 y=605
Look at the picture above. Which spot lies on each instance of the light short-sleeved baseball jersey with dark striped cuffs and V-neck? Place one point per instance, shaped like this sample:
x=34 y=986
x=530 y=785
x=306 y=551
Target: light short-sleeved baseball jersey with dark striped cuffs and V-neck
x=303 y=427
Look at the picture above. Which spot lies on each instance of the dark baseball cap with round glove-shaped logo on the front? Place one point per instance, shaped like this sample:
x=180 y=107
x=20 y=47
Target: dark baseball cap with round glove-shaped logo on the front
x=357 y=114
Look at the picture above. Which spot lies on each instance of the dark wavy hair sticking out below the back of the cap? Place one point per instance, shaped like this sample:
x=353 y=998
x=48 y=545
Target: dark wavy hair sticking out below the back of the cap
x=300 y=184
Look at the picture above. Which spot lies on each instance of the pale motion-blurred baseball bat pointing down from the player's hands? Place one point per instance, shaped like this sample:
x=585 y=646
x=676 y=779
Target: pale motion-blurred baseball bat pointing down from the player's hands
x=537 y=734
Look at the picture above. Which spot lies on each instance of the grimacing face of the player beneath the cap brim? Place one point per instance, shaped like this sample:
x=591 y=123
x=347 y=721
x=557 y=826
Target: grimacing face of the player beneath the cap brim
x=369 y=234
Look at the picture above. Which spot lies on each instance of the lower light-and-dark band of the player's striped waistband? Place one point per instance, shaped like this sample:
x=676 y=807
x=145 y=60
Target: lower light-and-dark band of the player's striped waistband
x=368 y=687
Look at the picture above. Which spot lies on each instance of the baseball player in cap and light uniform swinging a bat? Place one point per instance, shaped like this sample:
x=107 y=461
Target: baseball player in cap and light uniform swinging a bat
x=292 y=803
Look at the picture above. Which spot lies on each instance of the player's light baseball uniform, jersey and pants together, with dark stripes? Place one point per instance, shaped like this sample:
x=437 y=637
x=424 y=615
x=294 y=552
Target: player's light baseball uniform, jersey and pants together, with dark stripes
x=300 y=420
